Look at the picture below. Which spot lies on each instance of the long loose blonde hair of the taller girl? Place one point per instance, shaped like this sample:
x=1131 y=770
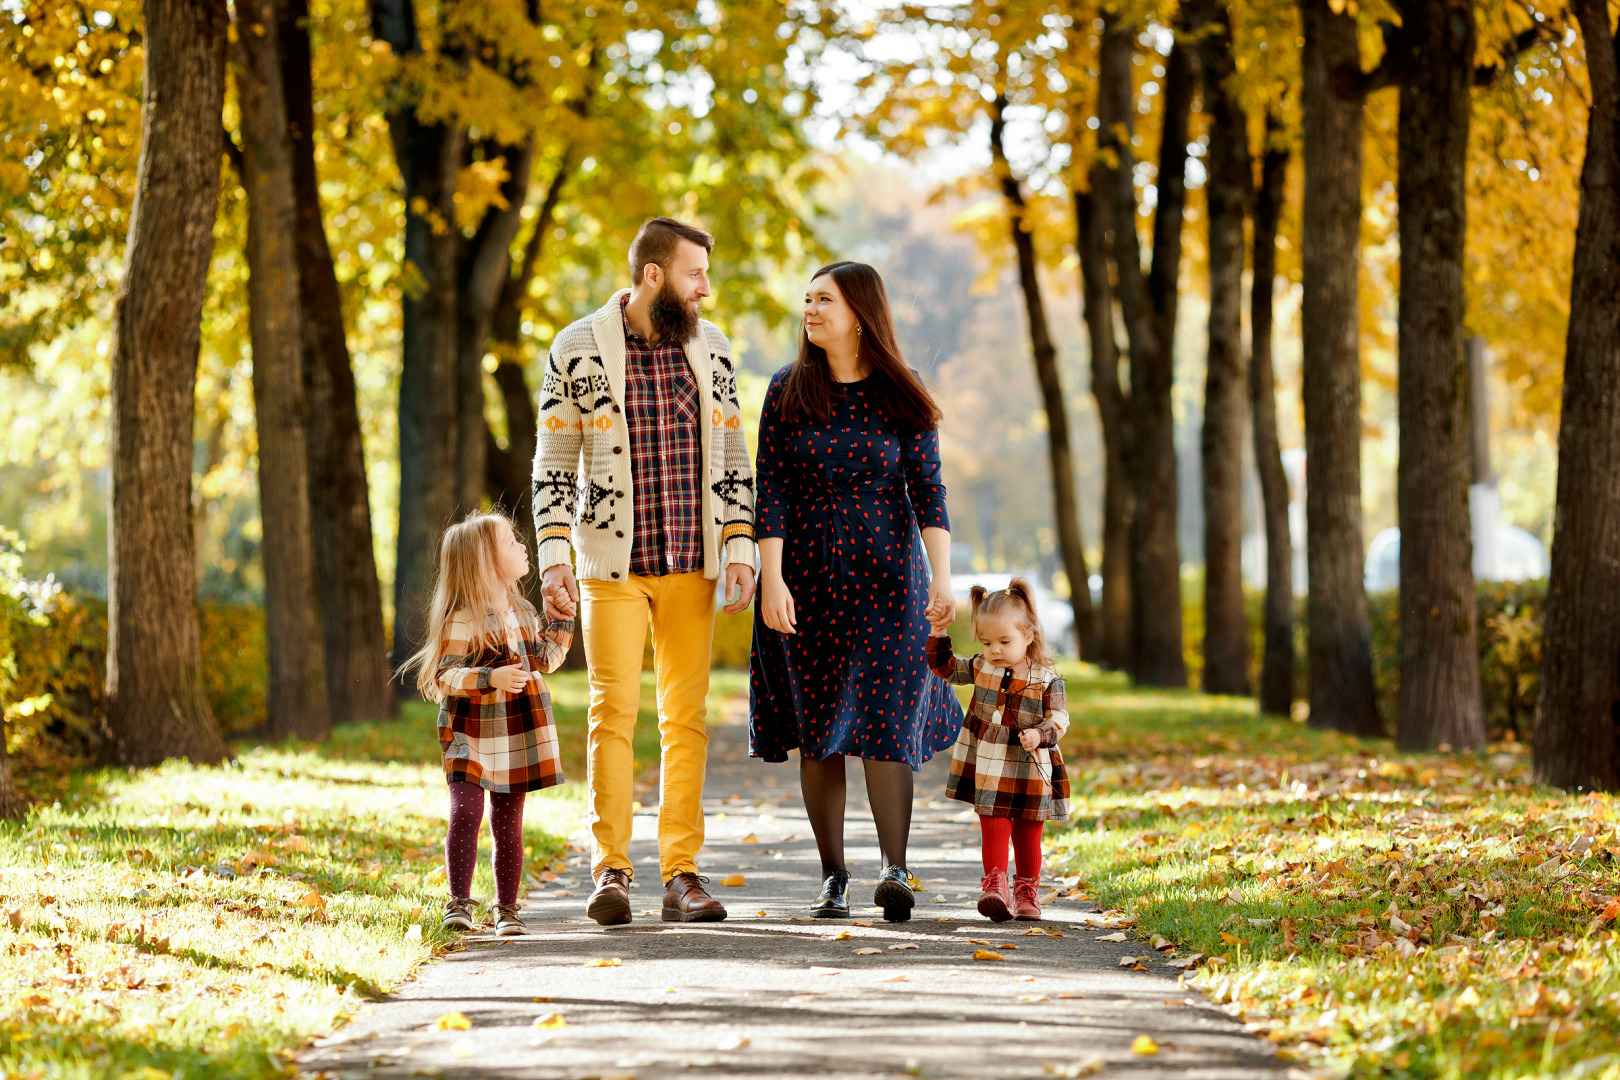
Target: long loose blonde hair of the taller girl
x=469 y=580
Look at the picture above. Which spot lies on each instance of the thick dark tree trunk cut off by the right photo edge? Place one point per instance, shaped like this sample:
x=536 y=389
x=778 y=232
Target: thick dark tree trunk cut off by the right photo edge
x=1579 y=713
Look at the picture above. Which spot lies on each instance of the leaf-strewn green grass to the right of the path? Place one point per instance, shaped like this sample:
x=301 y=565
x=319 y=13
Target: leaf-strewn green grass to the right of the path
x=1375 y=914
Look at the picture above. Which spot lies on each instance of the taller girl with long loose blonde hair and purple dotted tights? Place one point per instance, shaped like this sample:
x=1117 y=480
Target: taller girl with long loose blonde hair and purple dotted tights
x=482 y=661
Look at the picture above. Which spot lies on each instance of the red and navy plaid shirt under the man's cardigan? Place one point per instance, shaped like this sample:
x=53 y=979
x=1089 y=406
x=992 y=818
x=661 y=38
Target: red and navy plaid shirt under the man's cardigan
x=667 y=456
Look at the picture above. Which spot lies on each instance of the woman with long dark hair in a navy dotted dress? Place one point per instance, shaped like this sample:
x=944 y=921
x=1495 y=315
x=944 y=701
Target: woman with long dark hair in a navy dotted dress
x=848 y=506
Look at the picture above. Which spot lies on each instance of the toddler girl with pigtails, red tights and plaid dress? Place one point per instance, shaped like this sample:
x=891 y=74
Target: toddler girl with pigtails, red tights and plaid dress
x=1007 y=760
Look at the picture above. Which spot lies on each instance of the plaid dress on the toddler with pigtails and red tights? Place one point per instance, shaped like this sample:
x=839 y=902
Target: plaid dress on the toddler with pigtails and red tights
x=989 y=767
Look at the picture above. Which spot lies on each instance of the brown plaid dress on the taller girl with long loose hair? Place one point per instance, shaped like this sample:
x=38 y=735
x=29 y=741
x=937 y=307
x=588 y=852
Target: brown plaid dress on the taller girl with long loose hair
x=505 y=742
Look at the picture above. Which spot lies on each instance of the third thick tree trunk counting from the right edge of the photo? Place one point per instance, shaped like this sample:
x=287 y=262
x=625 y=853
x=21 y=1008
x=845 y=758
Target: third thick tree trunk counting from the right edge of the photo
x=1342 y=694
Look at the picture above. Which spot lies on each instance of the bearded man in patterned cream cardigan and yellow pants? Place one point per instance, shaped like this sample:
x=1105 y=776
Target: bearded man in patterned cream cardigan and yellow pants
x=642 y=466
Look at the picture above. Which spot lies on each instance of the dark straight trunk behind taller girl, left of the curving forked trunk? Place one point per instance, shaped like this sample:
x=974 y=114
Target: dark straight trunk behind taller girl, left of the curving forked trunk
x=430 y=159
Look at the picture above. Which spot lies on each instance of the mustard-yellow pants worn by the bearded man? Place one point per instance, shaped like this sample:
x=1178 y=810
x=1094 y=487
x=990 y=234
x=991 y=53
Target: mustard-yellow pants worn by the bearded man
x=681 y=608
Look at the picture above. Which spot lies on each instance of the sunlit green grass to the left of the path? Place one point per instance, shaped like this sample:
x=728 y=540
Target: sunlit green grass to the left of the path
x=124 y=951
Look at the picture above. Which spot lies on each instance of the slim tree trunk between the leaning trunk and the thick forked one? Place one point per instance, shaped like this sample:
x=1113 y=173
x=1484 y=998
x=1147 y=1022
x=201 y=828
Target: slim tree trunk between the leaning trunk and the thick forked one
x=1094 y=240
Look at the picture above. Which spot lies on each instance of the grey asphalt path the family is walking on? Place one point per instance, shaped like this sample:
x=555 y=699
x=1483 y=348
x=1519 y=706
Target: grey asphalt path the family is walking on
x=774 y=993
